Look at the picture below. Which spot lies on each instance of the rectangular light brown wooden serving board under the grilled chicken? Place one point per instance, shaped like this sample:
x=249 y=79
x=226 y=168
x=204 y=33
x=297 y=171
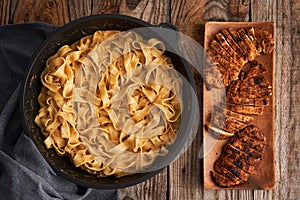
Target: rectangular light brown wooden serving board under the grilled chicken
x=264 y=176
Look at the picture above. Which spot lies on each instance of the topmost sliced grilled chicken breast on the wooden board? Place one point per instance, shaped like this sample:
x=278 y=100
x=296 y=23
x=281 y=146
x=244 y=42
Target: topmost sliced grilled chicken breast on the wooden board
x=232 y=49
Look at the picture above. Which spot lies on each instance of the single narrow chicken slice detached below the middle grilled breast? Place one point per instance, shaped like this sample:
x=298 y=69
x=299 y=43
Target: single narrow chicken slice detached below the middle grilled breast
x=245 y=109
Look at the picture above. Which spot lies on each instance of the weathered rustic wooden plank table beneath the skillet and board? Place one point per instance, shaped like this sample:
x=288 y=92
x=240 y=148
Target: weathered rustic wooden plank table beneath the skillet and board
x=183 y=178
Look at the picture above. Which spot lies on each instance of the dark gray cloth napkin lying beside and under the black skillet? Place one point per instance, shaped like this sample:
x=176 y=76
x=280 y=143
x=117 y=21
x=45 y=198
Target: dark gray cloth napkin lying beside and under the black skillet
x=24 y=174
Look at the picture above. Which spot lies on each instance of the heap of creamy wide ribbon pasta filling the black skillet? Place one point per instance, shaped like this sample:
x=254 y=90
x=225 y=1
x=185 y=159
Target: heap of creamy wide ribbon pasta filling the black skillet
x=111 y=102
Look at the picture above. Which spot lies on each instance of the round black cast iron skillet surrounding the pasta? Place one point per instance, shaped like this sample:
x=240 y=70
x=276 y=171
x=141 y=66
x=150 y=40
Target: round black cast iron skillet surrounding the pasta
x=32 y=87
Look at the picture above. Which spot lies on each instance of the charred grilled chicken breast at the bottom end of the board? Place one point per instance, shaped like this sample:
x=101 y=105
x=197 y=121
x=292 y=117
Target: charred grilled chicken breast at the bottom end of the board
x=239 y=158
